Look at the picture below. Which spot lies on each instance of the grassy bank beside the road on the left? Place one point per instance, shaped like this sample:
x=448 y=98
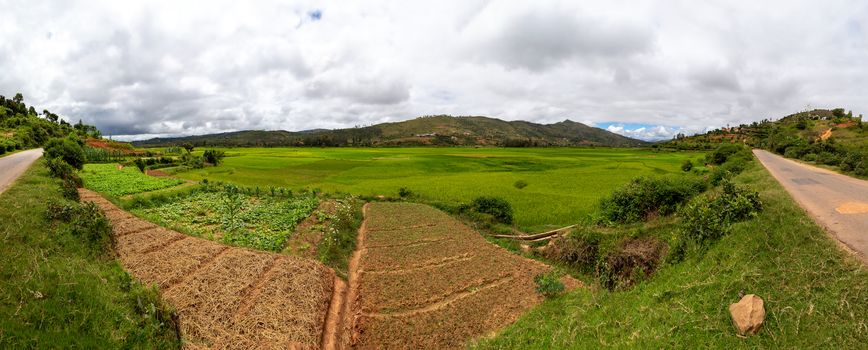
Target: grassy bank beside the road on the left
x=58 y=291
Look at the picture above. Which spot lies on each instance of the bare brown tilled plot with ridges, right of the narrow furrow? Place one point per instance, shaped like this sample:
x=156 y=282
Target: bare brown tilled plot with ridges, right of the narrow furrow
x=424 y=280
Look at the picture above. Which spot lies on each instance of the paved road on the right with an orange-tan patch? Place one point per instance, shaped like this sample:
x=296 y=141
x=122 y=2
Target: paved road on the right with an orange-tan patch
x=837 y=202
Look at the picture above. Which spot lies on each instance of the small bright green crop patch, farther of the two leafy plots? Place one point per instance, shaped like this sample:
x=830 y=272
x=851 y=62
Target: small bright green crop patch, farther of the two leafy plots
x=106 y=178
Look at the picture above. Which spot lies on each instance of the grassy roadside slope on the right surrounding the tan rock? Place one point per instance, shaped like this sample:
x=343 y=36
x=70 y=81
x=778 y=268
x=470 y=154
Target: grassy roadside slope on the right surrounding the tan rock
x=815 y=295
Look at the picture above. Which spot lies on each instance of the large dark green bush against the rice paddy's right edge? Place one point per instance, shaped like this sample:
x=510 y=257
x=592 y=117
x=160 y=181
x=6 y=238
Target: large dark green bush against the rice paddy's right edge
x=645 y=196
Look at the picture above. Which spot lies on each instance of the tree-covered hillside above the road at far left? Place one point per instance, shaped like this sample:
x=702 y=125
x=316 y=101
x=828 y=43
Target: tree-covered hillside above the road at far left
x=22 y=127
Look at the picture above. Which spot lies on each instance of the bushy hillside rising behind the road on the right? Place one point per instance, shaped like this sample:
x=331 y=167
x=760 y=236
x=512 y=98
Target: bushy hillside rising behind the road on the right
x=830 y=137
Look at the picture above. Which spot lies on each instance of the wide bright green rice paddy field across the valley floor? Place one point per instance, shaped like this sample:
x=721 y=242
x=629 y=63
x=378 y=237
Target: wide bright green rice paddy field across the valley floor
x=564 y=184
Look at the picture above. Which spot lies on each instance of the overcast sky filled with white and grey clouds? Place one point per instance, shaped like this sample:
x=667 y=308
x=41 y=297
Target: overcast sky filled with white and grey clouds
x=645 y=69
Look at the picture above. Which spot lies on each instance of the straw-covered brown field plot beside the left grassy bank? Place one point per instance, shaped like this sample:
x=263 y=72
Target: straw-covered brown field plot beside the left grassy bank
x=227 y=297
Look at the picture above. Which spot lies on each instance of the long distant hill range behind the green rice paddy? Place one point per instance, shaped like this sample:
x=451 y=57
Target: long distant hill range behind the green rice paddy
x=438 y=130
